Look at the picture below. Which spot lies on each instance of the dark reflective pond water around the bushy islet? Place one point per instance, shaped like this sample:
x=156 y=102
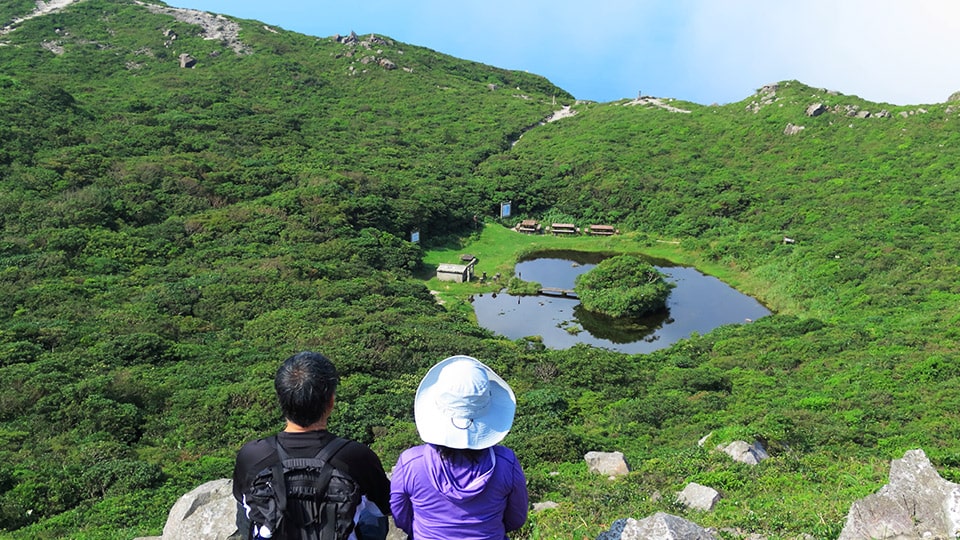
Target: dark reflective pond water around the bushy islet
x=699 y=303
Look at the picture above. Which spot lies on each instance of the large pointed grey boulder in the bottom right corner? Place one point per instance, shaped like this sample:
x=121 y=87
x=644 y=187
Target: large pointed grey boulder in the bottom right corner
x=916 y=504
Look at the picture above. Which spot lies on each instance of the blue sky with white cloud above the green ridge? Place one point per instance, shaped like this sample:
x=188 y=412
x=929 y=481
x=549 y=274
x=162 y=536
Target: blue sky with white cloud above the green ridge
x=706 y=51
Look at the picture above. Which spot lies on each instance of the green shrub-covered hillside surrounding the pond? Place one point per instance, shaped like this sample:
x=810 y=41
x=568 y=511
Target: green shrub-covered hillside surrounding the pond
x=169 y=234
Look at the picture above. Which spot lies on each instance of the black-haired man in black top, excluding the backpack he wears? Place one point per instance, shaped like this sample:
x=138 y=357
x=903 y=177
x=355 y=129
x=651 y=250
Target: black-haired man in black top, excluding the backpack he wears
x=306 y=384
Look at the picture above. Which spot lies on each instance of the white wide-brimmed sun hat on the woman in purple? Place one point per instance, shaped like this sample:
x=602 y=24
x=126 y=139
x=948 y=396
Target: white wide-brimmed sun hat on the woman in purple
x=462 y=403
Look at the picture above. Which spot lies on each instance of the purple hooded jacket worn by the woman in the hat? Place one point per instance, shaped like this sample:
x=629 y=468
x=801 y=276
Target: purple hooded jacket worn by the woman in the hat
x=439 y=499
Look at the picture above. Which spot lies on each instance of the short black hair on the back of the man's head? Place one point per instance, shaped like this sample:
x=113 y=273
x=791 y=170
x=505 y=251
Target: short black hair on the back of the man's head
x=305 y=383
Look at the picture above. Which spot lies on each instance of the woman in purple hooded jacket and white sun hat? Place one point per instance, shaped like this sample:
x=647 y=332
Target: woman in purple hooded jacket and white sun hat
x=461 y=483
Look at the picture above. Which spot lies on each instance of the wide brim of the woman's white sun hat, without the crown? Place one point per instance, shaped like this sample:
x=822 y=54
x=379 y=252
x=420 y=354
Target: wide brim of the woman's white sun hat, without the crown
x=484 y=431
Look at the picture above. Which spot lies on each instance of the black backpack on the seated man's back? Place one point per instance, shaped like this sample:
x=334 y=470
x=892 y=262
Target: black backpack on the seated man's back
x=304 y=498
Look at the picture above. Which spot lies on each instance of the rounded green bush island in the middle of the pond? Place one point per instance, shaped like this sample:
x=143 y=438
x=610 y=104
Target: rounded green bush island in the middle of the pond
x=623 y=286
